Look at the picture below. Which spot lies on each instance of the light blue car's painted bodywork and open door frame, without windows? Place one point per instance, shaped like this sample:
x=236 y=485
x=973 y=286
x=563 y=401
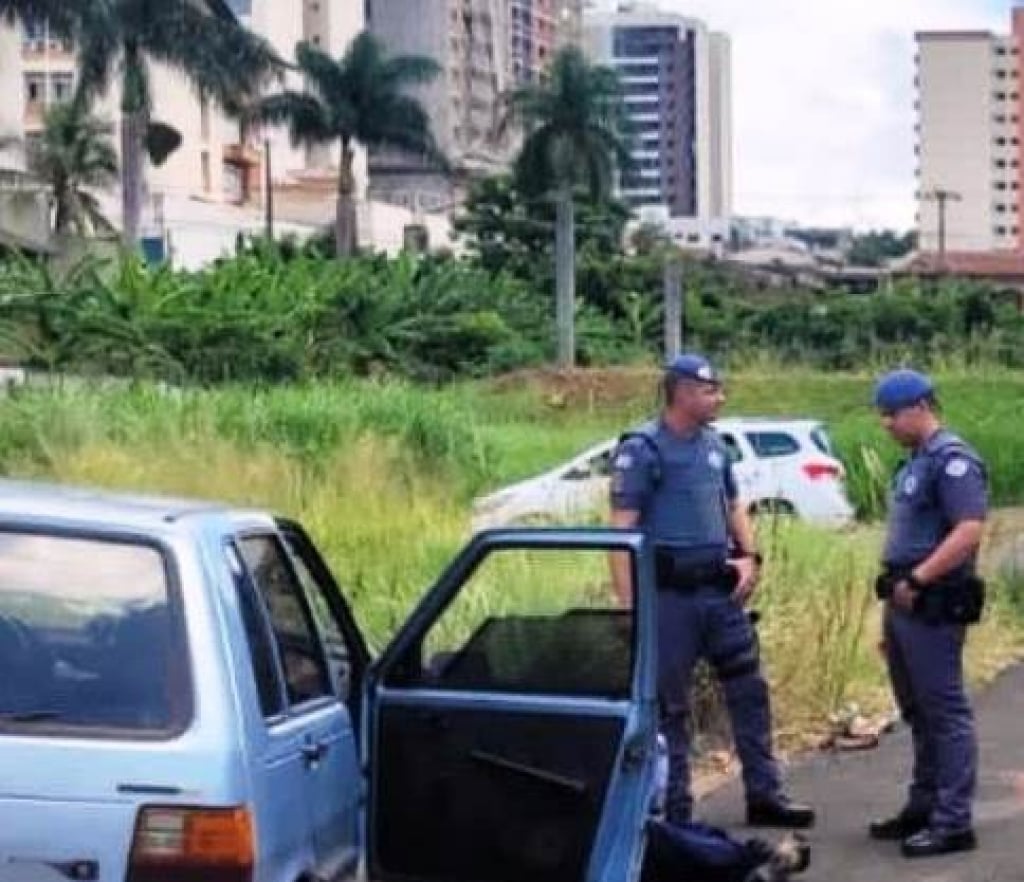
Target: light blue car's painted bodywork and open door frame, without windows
x=298 y=768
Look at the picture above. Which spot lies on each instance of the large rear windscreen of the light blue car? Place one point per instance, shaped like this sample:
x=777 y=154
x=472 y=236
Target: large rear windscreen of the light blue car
x=90 y=637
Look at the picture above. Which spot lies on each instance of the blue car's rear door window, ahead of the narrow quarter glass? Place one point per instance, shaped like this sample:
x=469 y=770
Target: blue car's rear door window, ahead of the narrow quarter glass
x=302 y=656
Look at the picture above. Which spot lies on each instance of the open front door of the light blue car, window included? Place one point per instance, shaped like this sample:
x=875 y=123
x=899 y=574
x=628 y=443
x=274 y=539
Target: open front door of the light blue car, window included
x=511 y=724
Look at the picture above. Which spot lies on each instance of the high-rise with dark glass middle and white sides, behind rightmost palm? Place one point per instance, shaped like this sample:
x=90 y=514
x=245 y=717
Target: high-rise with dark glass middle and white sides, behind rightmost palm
x=676 y=78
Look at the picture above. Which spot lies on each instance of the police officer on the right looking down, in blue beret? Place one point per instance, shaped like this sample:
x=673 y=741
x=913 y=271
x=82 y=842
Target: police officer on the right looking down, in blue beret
x=938 y=508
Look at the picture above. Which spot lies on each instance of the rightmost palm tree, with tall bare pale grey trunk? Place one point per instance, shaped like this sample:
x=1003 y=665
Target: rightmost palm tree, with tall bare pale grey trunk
x=575 y=129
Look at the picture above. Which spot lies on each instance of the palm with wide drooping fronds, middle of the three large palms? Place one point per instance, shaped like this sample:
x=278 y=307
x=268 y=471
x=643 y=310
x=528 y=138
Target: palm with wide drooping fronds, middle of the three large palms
x=361 y=99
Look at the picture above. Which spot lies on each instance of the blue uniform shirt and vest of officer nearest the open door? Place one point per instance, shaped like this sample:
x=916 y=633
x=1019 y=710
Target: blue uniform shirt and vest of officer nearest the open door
x=681 y=486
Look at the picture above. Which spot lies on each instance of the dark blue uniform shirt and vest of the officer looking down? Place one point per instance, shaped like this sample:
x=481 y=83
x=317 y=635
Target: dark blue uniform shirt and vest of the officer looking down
x=941 y=486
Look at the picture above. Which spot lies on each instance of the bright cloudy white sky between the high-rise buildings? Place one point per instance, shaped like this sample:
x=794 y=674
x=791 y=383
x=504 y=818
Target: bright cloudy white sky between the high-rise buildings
x=824 y=102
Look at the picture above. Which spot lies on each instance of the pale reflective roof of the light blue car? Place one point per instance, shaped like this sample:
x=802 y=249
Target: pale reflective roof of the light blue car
x=48 y=501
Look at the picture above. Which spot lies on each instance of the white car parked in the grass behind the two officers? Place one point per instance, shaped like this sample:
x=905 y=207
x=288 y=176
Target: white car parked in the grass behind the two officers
x=787 y=467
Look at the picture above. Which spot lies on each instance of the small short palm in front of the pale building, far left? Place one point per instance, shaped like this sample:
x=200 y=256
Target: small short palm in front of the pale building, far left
x=75 y=155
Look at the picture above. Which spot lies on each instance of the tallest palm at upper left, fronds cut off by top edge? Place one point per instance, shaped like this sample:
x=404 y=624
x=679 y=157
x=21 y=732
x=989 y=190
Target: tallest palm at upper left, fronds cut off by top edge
x=224 y=61
